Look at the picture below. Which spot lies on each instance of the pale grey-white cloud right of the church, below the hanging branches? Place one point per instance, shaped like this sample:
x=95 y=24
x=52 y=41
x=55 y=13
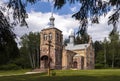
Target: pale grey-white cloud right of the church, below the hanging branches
x=101 y=30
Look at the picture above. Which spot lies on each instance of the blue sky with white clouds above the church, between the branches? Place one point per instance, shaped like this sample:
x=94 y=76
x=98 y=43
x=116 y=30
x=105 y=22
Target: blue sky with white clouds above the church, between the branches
x=39 y=14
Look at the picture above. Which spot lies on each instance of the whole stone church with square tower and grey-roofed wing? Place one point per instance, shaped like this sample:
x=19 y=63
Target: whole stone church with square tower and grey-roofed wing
x=56 y=56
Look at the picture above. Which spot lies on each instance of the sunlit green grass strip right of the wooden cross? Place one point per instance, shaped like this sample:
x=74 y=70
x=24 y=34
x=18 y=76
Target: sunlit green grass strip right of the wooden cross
x=100 y=72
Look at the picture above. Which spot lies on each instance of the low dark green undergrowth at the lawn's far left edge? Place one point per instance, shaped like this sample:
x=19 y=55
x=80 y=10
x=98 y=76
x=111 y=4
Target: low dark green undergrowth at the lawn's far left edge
x=10 y=67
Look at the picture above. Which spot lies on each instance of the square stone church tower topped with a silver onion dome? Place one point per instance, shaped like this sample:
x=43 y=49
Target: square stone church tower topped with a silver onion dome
x=51 y=47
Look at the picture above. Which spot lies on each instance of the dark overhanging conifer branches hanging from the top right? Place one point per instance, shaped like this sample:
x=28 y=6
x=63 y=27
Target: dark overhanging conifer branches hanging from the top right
x=93 y=9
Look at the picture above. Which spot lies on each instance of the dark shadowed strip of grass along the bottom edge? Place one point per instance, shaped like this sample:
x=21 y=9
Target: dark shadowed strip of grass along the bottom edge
x=42 y=77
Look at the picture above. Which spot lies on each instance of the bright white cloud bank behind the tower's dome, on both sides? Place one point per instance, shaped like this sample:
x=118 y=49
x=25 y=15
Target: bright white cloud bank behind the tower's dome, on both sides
x=38 y=21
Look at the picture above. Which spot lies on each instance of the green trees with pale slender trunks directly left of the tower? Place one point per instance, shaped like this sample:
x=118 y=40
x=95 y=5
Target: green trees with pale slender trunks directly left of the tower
x=30 y=48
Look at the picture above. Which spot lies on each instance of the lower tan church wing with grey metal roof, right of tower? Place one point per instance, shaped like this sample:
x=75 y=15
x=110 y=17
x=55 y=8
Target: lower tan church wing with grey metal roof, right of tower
x=80 y=56
